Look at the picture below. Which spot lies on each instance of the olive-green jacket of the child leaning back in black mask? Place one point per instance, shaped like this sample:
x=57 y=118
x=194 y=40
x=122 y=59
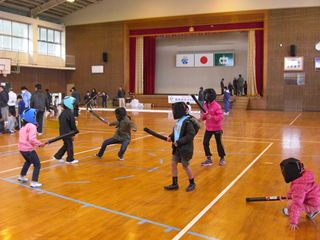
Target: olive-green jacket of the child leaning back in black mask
x=124 y=127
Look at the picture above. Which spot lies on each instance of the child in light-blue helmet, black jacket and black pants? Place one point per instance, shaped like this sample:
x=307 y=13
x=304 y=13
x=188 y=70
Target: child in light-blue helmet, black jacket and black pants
x=67 y=124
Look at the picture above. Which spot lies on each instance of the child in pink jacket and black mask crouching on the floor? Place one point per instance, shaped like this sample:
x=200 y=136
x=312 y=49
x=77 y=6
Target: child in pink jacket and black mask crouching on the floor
x=304 y=191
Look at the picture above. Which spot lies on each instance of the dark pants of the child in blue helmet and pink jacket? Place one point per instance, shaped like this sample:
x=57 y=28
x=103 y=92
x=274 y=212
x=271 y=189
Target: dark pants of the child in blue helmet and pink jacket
x=31 y=158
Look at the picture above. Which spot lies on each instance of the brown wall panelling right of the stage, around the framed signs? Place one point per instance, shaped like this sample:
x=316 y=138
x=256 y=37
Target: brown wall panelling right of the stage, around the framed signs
x=299 y=27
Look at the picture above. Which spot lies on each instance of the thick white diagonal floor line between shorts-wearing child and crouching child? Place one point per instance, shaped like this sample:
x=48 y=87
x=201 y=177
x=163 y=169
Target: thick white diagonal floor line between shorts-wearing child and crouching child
x=207 y=208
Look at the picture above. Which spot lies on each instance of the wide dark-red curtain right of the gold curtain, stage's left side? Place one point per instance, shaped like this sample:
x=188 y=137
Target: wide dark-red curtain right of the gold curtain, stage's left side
x=149 y=64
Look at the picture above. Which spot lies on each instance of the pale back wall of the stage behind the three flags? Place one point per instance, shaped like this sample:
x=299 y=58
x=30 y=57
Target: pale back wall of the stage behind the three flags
x=172 y=79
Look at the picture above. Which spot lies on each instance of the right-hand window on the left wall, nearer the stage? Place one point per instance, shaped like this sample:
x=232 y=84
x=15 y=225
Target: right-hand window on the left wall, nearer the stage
x=49 y=42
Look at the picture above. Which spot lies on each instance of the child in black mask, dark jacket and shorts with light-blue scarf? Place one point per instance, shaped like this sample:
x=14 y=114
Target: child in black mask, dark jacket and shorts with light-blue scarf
x=182 y=145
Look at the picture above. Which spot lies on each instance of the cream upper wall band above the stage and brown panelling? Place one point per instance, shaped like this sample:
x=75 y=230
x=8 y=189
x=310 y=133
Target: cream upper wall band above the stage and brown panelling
x=118 y=10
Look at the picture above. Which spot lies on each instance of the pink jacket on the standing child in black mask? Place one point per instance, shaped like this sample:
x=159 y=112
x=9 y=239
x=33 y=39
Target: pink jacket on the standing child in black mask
x=213 y=116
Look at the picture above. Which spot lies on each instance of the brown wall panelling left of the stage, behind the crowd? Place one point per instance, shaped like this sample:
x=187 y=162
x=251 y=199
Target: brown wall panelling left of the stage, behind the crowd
x=87 y=43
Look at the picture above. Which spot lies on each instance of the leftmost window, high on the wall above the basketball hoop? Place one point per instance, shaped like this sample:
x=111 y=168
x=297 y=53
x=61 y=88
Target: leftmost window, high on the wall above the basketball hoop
x=14 y=36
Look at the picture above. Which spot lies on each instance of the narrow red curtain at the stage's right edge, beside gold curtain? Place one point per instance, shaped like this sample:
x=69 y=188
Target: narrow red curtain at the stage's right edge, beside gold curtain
x=259 y=61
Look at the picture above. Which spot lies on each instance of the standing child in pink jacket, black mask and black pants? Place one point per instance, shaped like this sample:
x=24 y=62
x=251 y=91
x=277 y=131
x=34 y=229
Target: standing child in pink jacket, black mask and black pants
x=213 y=117
